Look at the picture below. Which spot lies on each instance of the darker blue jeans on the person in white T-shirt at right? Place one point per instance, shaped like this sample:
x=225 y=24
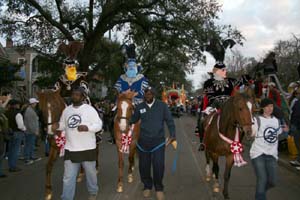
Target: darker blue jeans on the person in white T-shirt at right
x=265 y=167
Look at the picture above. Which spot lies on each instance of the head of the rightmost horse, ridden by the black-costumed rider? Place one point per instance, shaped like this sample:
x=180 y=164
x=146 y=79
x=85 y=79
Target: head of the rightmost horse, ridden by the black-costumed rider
x=242 y=109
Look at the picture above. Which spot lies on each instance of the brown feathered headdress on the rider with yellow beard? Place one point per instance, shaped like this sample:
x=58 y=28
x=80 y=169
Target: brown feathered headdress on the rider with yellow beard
x=70 y=51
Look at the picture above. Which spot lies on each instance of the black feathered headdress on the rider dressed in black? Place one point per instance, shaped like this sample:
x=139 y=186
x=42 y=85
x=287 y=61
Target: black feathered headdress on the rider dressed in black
x=217 y=49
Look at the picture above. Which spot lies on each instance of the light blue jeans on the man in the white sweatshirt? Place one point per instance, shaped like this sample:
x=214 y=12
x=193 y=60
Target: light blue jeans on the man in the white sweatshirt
x=70 y=173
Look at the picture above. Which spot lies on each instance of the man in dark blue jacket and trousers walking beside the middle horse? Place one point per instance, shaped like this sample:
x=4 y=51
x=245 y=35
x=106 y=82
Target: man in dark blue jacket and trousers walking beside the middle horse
x=151 y=144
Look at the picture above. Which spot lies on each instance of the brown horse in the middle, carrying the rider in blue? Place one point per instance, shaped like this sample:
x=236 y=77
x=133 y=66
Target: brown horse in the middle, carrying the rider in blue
x=121 y=126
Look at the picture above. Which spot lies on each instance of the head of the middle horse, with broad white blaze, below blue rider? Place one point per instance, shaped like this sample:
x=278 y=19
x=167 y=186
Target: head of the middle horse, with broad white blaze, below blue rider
x=125 y=110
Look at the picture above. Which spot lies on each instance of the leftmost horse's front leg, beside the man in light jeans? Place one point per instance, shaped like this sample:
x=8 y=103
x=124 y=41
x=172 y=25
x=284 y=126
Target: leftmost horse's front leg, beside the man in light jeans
x=51 y=160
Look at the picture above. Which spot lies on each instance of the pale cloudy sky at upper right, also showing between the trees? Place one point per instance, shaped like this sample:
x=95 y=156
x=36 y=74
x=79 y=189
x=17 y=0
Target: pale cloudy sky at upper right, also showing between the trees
x=262 y=23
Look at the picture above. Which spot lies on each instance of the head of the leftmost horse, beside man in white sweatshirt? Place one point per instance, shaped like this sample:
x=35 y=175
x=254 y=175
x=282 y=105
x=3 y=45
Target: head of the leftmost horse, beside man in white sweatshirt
x=51 y=104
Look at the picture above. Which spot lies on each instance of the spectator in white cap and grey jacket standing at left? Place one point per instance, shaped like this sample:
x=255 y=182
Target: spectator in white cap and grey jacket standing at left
x=31 y=121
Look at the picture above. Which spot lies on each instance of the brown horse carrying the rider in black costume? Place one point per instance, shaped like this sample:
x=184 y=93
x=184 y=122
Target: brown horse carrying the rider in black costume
x=235 y=118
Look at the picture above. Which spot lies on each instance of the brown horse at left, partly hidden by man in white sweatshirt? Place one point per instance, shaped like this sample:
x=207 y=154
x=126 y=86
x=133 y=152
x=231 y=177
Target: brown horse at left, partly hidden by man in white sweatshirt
x=52 y=106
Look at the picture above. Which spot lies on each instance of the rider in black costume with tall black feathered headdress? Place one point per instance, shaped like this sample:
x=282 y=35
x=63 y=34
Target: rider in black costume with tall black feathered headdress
x=218 y=88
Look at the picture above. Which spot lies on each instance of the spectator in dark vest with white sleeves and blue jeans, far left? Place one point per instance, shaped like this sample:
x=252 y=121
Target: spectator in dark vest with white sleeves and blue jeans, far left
x=16 y=124
